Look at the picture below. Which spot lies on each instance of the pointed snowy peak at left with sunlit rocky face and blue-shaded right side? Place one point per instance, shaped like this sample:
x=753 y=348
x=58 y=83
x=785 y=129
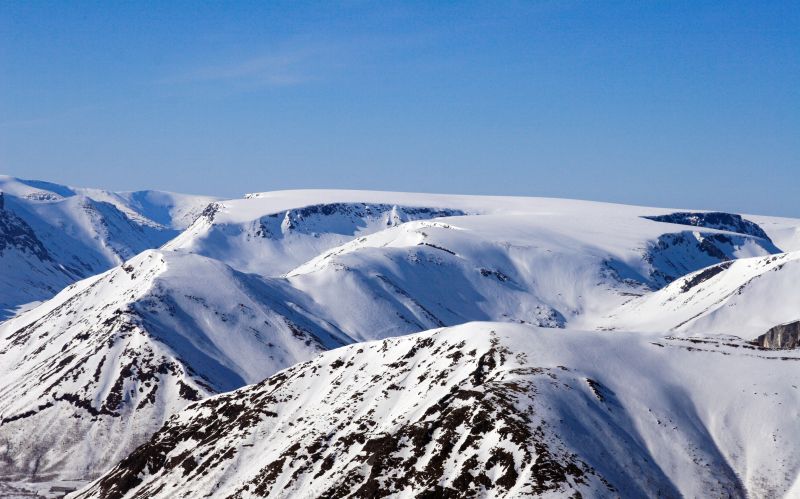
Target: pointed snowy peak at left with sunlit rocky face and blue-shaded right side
x=91 y=373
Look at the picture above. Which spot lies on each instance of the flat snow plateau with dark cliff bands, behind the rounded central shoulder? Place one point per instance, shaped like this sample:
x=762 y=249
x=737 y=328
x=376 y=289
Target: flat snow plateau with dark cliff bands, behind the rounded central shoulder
x=271 y=233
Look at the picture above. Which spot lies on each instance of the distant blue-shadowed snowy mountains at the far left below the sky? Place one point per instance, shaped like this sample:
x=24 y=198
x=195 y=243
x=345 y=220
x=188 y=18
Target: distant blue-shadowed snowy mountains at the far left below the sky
x=52 y=235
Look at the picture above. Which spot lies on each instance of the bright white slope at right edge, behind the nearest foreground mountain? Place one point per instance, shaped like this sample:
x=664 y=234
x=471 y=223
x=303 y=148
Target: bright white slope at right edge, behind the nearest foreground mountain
x=745 y=297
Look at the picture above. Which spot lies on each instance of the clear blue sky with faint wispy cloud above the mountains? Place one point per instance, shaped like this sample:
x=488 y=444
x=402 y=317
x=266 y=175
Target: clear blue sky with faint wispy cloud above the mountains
x=687 y=104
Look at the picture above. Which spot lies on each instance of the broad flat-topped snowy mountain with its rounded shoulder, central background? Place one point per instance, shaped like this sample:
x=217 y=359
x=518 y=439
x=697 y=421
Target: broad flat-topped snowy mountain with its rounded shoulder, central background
x=379 y=264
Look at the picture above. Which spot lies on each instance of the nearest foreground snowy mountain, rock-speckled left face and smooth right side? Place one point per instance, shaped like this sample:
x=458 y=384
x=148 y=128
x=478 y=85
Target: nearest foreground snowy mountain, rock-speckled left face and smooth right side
x=494 y=410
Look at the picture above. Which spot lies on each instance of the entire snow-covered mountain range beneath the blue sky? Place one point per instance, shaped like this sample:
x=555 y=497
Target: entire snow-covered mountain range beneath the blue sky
x=376 y=343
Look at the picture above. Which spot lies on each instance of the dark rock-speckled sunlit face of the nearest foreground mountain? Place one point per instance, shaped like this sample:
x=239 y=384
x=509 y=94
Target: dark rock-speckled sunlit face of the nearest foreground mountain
x=492 y=399
